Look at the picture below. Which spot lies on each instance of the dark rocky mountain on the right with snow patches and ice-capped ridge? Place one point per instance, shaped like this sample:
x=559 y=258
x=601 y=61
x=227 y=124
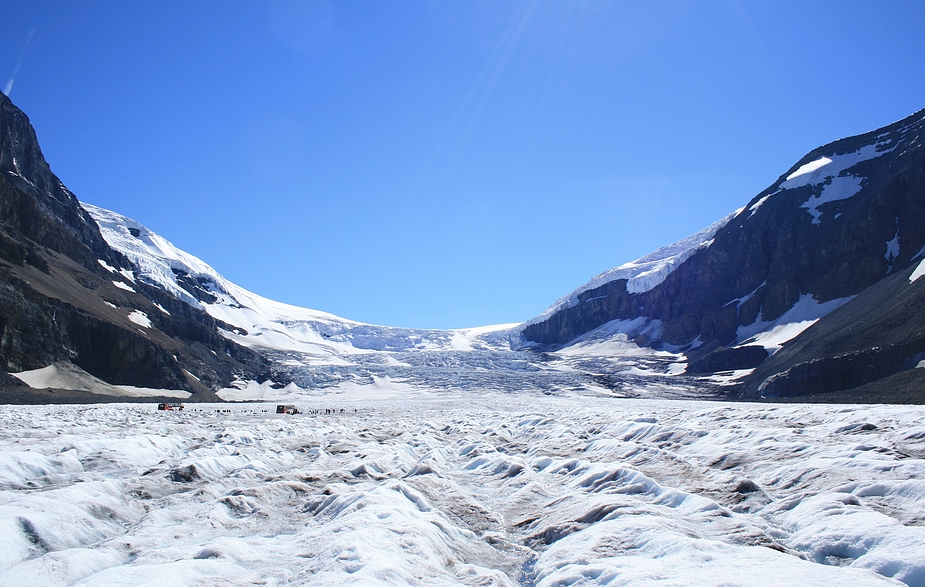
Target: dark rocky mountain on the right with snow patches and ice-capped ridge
x=814 y=272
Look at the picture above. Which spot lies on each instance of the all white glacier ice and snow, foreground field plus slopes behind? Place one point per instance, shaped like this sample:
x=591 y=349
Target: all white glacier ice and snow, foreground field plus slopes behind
x=431 y=457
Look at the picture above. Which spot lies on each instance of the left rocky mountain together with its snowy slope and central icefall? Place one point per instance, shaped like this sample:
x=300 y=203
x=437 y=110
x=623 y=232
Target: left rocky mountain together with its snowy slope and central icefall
x=91 y=300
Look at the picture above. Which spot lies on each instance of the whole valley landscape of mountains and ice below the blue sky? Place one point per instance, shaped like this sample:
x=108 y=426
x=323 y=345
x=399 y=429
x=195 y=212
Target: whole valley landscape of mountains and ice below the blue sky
x=635 y=433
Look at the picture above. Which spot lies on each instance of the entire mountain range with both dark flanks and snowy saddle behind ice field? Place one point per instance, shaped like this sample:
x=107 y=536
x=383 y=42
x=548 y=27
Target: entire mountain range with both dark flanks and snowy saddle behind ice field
x=812 y=290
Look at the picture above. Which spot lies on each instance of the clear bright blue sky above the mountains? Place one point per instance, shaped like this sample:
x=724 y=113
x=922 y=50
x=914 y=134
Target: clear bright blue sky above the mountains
x=444 y=163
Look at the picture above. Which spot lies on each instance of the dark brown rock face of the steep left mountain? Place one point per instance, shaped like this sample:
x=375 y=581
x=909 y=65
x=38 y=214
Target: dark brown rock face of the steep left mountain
x=66 y=295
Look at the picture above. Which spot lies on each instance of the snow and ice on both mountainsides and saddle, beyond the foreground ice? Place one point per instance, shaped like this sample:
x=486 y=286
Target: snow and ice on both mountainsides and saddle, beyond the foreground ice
x=317 y=353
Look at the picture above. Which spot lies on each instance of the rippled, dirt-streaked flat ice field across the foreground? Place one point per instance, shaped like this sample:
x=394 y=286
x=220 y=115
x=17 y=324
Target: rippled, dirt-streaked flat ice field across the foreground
x=465 y=490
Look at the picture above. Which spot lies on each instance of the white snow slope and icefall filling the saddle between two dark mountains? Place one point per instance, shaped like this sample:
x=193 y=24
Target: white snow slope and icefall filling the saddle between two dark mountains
x=320 y=353
